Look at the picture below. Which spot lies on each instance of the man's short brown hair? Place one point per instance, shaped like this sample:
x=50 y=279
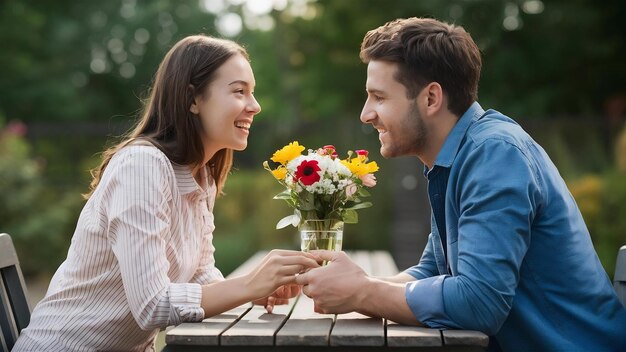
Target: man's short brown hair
x=427 y=50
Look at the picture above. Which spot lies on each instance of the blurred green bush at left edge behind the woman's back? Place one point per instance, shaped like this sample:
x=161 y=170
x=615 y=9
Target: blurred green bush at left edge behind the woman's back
x=41 y=232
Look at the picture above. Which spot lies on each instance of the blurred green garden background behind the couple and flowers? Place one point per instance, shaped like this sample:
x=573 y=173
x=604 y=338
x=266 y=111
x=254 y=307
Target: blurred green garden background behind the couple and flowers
x=73 y=73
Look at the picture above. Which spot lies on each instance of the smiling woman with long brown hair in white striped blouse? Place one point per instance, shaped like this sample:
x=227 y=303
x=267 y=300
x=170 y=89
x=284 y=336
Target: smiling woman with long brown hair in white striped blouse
x=142 y=258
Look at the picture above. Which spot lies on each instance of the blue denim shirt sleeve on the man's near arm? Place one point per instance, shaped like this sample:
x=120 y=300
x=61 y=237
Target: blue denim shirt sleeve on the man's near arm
x=499 y=194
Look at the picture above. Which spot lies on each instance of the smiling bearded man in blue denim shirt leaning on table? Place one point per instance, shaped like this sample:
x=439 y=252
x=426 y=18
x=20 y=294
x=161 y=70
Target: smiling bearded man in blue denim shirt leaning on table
x=509 y=253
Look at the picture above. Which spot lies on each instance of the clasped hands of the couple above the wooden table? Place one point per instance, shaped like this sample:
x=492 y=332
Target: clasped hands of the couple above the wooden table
x=334 y=288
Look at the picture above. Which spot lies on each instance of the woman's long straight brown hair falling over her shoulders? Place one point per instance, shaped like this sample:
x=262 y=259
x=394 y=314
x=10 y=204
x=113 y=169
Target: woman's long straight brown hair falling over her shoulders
x=166 y=122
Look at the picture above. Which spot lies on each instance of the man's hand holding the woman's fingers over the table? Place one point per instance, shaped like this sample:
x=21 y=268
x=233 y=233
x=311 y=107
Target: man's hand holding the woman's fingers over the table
x=338 y=287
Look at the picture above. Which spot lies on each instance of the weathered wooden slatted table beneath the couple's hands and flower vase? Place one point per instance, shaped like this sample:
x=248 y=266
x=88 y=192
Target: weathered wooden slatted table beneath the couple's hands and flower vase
x=295 y=327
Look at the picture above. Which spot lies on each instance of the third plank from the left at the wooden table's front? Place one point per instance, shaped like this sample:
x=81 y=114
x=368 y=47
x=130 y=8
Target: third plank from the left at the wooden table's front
x=305 y=327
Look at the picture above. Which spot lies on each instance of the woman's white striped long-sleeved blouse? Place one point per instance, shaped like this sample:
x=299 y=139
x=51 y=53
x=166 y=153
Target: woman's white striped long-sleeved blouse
x=141 y=249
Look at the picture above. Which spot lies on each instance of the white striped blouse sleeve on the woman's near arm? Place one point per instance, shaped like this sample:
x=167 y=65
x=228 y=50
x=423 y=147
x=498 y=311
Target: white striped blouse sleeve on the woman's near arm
x=139 y=218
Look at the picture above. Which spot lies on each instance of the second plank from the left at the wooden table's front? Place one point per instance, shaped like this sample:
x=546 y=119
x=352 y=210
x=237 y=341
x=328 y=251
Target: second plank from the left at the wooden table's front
x=257 y=327
